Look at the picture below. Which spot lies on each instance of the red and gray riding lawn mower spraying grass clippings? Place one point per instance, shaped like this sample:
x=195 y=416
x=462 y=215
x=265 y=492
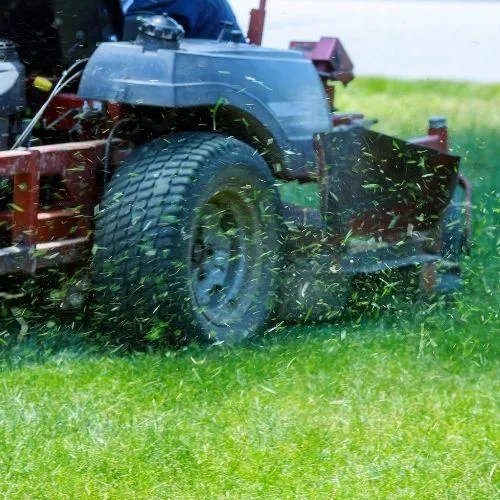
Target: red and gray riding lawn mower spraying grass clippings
x=158 y=165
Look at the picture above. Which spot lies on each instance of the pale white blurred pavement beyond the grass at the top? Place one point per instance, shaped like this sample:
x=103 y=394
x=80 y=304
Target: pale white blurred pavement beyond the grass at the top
x=448 y=39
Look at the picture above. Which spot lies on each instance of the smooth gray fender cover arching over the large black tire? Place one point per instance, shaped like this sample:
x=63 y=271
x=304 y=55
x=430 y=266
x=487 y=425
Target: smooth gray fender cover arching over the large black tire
x=281 y=89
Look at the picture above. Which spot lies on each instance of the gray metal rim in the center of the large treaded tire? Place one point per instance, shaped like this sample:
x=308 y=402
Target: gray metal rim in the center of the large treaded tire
x=225 y=258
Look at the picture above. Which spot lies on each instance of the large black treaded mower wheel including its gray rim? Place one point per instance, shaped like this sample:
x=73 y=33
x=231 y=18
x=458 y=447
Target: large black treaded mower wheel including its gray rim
x=187 y=241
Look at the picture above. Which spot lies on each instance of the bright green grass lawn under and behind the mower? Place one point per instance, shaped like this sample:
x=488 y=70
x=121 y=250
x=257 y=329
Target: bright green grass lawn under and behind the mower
x=397 y=400
